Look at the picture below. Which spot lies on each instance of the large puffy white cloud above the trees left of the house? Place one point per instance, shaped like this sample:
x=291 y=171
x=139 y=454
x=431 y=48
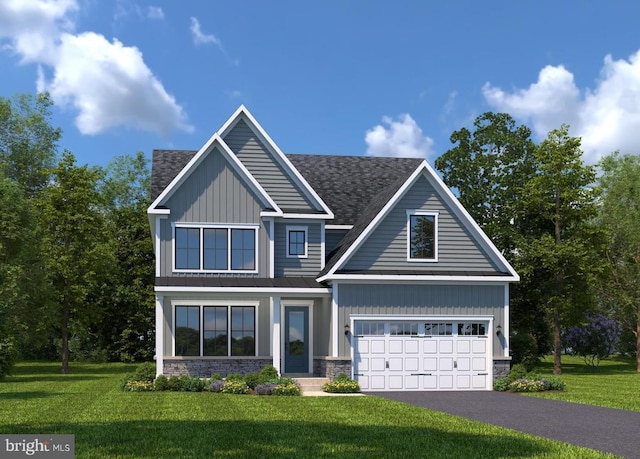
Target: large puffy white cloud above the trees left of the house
x=110 y=85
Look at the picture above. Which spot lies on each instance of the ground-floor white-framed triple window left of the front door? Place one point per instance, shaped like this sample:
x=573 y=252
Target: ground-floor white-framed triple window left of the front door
x=215 y=330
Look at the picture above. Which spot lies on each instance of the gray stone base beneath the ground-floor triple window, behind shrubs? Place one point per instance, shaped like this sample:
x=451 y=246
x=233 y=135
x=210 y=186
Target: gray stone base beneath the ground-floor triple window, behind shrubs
x=205 y=368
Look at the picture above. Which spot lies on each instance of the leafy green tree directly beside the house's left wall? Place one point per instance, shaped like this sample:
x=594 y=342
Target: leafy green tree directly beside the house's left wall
x=127 y=299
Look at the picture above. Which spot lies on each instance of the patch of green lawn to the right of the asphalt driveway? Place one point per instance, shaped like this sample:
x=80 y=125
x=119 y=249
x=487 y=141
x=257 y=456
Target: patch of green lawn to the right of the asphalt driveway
x=614 y=384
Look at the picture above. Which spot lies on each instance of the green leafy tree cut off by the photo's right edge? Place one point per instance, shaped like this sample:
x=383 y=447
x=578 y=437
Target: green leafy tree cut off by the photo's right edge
x=620 y=214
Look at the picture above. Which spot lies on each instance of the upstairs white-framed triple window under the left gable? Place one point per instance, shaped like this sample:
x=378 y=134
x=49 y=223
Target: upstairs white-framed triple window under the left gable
x=215 y=248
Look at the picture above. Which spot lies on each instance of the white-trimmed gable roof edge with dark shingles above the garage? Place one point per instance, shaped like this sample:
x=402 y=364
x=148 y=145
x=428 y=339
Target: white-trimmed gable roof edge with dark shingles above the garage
x=382 y=205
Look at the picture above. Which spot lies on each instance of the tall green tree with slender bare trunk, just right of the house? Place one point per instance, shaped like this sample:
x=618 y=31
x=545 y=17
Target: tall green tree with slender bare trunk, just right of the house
x=566 y=255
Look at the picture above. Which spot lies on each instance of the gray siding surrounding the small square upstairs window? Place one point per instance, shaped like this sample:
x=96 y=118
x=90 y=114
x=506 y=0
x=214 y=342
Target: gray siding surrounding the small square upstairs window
x=293 y=266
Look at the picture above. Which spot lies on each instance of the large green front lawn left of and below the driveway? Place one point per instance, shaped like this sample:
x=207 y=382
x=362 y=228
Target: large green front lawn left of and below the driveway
x=109 y=423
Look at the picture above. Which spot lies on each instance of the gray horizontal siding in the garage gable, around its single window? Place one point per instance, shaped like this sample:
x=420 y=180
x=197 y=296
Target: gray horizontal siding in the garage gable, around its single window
x=386 y=246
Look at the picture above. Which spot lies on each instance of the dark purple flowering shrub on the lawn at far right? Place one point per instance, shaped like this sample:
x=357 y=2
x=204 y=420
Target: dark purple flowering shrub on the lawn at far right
x=594 y=341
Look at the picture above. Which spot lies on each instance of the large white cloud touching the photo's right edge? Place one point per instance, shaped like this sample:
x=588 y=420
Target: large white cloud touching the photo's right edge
x=607 y=117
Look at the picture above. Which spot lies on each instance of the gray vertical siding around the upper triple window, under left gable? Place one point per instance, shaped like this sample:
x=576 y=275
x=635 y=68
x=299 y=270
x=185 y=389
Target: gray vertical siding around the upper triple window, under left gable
x=214 y=193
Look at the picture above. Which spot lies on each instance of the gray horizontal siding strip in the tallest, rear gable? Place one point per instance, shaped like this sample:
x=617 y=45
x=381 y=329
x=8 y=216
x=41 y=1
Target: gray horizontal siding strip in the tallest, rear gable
x=267 y=171
